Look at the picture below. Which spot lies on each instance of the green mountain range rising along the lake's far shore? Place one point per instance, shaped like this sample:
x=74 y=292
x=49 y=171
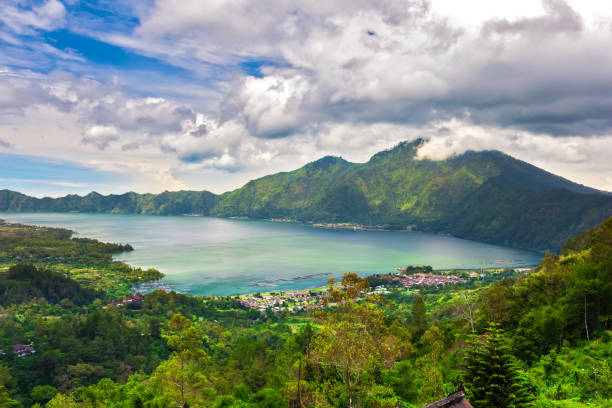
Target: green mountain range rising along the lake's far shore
x=486 y=196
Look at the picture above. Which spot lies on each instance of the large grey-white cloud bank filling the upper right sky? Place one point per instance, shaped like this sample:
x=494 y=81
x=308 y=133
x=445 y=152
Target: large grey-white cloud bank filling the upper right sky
x=394 y=61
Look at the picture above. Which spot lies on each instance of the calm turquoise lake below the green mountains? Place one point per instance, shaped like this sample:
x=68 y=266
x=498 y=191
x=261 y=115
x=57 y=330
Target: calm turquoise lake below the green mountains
x=205 y=255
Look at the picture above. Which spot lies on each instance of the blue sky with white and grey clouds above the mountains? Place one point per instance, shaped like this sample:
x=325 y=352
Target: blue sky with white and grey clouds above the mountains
x=155 y=95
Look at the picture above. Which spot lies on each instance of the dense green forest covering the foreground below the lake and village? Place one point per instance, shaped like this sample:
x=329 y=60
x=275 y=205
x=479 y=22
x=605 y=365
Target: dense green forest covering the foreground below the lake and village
x=537 y=339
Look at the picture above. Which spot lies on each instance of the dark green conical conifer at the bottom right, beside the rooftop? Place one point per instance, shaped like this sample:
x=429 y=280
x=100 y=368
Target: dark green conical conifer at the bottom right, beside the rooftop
x=493 y=378
